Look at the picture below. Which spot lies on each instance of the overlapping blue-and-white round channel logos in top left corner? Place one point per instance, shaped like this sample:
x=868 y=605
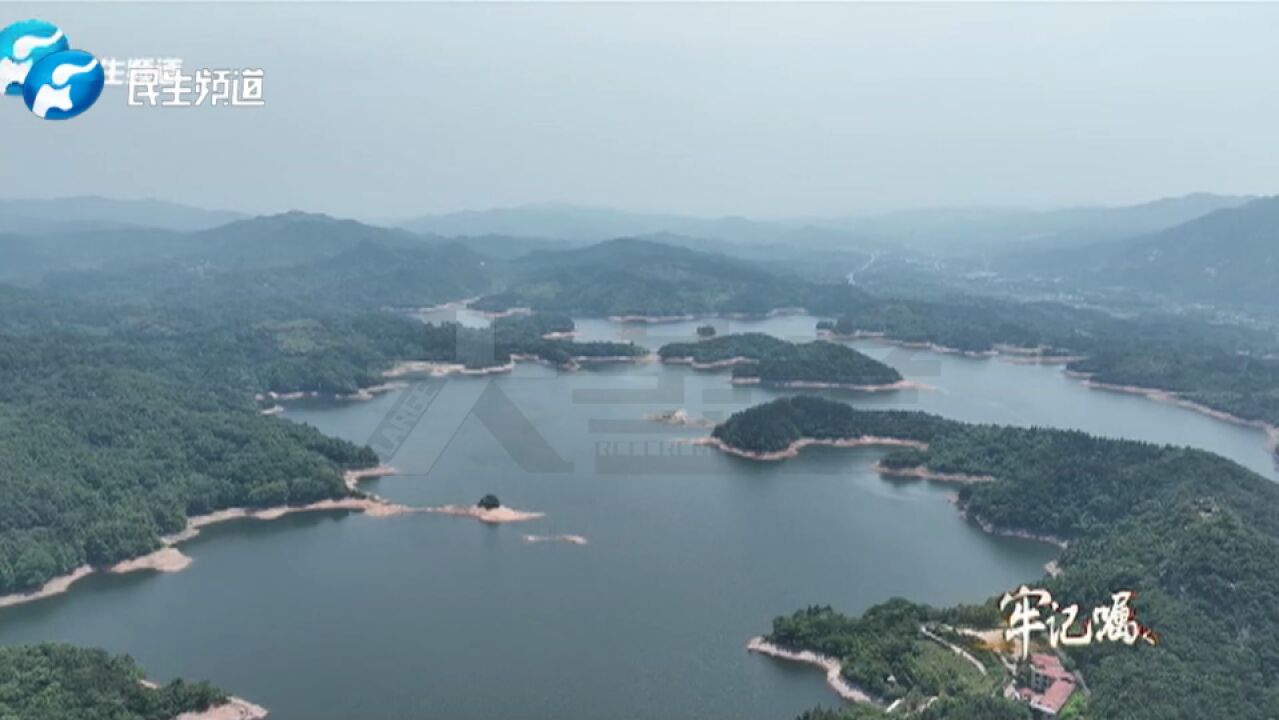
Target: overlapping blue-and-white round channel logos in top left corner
x=38 y=63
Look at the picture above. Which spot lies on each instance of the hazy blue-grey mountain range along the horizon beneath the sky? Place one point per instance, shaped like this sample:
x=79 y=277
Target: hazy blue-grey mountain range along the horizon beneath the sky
x=1203 y=249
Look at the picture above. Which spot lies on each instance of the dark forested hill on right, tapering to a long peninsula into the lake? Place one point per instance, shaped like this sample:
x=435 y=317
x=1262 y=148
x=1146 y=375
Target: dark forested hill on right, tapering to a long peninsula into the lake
x=1195 y=535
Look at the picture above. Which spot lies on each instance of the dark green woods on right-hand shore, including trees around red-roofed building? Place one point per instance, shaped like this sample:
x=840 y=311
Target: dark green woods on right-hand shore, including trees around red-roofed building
x=1166 y=511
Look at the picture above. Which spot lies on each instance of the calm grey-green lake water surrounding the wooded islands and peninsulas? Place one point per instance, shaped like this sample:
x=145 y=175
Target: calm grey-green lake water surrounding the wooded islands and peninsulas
x=691 y=553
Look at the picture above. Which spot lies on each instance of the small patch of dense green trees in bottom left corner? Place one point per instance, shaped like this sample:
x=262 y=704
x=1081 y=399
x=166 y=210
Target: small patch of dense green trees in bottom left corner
x=58 y=682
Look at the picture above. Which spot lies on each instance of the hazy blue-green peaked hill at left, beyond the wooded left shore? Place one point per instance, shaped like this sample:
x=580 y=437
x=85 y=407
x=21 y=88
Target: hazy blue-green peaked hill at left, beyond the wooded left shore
x=292 y=258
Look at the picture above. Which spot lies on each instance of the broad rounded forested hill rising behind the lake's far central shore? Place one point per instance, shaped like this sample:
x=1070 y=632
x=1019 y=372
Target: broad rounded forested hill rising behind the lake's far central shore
x=643 y=278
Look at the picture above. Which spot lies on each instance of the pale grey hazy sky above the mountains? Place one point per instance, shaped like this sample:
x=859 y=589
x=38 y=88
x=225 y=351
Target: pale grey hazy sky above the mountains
x=386 y=111
